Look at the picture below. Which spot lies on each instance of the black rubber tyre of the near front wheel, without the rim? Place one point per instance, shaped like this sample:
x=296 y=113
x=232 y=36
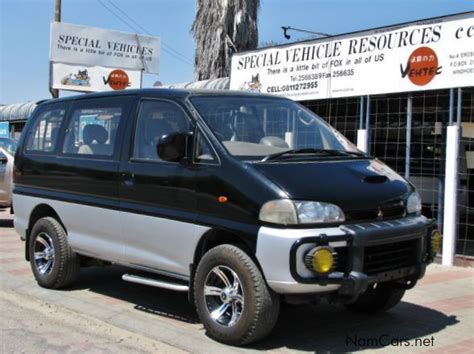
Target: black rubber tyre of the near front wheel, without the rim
x=262 y=305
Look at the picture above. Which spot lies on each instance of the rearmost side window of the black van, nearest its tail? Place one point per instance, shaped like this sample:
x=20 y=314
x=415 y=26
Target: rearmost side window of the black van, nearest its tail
x=44 y=133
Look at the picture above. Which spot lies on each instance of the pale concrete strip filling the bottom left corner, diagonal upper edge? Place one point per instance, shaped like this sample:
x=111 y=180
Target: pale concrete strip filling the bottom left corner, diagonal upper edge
x=33 y=326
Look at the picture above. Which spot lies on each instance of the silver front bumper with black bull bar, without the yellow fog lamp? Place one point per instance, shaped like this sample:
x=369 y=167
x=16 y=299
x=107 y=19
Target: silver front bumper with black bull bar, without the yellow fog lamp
x=360 y=250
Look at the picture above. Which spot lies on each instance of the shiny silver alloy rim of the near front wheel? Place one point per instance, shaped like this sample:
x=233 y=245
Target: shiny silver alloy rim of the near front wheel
x=224 y=296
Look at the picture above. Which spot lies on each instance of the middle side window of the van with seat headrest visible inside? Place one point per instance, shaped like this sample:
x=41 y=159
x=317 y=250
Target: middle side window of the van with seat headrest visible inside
x=93 y=126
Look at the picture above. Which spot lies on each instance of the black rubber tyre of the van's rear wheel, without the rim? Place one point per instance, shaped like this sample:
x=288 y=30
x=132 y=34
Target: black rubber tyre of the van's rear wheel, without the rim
x=65 y=268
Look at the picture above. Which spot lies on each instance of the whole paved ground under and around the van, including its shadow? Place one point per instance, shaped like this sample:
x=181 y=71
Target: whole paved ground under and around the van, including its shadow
x=104 y=314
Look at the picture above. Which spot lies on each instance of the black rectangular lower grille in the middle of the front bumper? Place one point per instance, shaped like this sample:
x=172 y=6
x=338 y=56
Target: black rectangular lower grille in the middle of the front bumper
x=389 y=256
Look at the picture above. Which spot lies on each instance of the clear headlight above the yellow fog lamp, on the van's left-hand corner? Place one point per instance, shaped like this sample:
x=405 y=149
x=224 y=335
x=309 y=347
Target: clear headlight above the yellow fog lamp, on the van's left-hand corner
x=292 y=212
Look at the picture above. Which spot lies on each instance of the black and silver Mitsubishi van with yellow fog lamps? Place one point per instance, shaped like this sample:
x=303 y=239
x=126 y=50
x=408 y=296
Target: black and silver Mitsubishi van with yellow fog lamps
x=244 y=201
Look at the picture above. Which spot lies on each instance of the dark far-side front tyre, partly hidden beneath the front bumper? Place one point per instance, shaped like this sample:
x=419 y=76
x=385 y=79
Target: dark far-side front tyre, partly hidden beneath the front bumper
x=382 y=298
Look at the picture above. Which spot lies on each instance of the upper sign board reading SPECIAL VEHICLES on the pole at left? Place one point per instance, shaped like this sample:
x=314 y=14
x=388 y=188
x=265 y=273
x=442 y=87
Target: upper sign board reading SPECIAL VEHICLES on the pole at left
x=74 y=44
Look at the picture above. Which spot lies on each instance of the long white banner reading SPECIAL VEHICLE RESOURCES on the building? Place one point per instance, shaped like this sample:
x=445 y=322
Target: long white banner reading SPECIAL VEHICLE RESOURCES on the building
x=432 y=54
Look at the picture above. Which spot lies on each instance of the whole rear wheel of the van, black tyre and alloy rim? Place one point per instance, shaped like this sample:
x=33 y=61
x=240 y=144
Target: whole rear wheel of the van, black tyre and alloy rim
x=53 y=263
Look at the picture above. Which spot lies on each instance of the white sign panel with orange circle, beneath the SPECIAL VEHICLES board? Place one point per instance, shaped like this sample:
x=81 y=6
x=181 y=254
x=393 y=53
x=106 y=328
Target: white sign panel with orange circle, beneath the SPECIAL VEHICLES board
x=93 y=78
